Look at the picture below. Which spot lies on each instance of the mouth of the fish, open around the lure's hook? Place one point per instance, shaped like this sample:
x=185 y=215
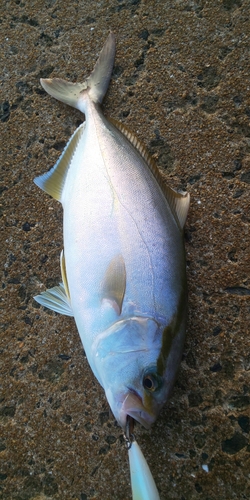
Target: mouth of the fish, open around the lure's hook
x=134 y=407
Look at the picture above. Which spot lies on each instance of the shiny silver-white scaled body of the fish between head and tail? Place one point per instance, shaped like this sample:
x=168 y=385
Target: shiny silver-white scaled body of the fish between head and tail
x=99 y=224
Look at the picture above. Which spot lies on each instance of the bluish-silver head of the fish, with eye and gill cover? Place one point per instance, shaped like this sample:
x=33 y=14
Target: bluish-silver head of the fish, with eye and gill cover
x=127 y=358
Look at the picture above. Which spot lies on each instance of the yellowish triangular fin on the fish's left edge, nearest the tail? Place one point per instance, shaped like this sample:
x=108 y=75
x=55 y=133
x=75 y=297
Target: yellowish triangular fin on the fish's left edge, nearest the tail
x=52 y=182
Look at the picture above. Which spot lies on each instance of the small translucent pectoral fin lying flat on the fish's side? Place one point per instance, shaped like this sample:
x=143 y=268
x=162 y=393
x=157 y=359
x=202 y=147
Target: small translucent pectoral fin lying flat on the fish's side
x=114 y=283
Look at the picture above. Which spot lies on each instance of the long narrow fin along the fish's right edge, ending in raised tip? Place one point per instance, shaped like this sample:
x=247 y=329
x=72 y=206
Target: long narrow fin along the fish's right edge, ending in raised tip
x=178 y=202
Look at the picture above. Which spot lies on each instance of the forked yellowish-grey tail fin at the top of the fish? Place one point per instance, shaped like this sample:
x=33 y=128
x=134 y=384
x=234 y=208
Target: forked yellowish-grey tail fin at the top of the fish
x=96 y=84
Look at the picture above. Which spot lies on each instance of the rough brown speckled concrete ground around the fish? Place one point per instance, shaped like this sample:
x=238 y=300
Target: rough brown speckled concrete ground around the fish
x=181 y=81
